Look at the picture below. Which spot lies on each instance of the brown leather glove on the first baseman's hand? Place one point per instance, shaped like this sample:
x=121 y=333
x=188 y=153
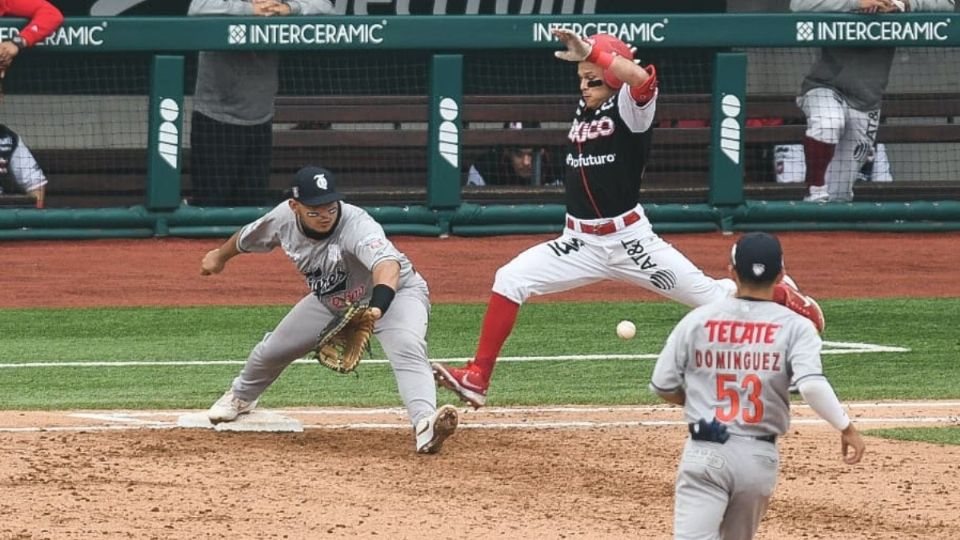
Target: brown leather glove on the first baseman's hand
x=341 y=345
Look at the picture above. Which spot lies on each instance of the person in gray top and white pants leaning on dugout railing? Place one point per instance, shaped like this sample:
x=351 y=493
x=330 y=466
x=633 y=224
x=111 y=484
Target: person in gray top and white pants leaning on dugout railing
x=841 y=99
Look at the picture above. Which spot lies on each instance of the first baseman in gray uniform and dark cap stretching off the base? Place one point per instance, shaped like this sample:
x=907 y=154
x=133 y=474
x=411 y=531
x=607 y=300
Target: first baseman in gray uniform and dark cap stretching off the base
x=345 y=257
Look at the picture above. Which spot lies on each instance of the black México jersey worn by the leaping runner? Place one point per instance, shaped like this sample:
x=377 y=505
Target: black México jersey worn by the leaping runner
x=607 y=155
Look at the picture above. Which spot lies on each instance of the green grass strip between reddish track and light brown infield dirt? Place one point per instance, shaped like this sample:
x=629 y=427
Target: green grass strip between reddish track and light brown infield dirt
x=926 y=326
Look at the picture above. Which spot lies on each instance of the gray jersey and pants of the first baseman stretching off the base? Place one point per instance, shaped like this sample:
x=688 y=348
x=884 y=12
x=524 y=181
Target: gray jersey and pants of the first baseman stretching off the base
x=338 y=270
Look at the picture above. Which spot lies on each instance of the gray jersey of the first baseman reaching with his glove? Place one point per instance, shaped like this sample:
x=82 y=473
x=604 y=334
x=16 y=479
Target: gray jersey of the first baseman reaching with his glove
x=339 y=268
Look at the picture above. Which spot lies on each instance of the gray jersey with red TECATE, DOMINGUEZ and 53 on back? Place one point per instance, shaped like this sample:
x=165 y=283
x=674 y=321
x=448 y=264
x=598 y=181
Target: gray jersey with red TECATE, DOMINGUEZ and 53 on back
x=735 y=360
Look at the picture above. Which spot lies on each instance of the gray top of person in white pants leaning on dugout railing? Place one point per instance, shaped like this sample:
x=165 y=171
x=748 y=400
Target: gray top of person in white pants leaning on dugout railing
x=860 y=74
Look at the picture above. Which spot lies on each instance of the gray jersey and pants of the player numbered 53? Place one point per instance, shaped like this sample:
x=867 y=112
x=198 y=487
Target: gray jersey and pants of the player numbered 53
x=735 y=358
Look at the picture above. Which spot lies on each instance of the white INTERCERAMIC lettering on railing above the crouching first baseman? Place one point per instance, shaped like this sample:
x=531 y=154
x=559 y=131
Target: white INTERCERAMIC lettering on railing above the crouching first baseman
x=305 y=34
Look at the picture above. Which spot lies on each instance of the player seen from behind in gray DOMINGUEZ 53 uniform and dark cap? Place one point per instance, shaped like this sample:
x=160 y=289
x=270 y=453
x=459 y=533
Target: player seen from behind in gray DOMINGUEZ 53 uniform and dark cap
x=730 y=363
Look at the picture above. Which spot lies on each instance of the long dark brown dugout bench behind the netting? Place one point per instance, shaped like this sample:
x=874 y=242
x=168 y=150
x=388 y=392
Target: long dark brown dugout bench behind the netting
x=377 y=145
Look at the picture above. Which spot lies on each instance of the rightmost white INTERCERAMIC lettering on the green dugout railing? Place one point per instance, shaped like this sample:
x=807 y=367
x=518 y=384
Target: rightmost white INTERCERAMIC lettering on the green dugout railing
x=873 y=30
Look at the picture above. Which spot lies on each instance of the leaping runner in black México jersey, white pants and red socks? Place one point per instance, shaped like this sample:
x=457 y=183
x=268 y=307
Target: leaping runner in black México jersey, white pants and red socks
x=607 y=234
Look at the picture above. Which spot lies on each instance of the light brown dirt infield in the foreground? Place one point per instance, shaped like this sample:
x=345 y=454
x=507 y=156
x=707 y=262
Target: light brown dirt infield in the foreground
x=508 y=473
